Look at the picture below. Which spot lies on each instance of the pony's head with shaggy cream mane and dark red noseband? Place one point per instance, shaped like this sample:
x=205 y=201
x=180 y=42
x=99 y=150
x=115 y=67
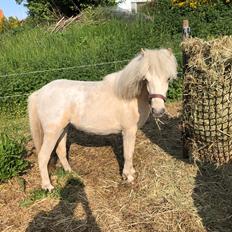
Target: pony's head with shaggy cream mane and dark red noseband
x=155 y=68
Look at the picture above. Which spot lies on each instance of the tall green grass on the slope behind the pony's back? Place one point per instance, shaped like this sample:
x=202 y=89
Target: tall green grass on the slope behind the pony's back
x=81 y=44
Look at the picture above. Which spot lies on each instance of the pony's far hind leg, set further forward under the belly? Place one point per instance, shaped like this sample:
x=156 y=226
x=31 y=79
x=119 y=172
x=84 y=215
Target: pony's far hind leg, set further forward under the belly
x=61 y=152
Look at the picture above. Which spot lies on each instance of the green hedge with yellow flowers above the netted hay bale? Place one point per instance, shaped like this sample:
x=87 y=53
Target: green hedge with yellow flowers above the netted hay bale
x=205 y=21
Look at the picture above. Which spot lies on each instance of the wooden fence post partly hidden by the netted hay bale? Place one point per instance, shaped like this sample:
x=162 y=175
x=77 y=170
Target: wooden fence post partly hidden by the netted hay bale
x=186 y=33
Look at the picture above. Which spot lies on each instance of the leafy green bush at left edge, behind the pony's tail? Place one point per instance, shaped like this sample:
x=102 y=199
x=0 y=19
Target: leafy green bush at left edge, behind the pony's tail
x=11 y=161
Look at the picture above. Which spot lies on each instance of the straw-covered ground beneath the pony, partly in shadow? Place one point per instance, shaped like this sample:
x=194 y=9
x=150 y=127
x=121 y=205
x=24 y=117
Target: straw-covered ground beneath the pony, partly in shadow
x=169 y=194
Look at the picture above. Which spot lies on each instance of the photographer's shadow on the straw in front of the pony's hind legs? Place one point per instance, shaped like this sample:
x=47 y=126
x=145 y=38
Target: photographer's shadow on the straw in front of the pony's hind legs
x=63 y=217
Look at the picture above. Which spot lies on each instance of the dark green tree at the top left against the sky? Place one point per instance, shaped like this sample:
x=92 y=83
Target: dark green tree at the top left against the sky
x=47 y=9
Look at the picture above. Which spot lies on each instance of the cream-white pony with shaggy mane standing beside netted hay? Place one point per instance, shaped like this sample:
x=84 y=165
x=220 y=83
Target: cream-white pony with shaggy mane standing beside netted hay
x=121 y=102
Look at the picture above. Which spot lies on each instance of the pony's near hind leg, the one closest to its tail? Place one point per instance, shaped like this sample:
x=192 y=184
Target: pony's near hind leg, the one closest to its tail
x=49 y=142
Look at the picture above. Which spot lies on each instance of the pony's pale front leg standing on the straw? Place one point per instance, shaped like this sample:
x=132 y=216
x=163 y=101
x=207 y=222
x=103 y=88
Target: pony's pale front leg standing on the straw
x=129 y=136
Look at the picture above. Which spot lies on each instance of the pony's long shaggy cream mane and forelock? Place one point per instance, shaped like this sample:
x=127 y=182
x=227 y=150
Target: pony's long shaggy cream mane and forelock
x=128 y=84
